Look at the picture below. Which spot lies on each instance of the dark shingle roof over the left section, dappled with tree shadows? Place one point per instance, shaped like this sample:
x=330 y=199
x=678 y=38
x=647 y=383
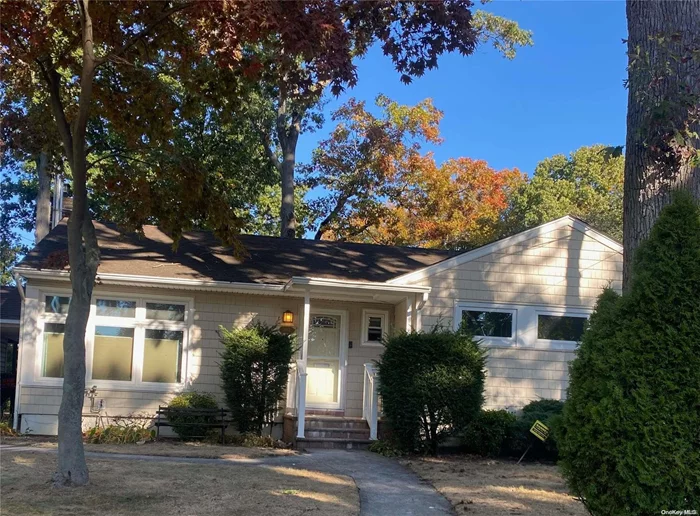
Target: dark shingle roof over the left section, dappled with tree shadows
x=201 y=256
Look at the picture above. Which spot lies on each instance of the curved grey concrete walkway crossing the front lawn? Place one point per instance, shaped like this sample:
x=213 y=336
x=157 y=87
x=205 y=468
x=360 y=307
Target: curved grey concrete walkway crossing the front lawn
x=386 y=488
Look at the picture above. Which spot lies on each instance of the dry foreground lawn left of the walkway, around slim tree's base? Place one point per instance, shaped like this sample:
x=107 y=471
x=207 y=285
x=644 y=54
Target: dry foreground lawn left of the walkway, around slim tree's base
x=119 y=487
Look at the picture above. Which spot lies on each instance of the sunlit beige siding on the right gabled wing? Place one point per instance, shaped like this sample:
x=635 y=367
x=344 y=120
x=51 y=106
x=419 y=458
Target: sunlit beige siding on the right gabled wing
x=563 y=268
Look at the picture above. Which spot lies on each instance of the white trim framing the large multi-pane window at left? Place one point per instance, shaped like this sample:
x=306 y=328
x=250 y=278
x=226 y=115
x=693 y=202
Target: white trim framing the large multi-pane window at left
x=140 y=325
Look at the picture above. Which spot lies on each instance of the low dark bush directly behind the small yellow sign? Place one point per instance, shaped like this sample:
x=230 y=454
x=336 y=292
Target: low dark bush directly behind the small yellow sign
x=549 y=413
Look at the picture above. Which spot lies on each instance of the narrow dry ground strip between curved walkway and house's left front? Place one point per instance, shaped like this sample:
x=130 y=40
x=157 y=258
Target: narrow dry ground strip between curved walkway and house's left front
x=161 y=448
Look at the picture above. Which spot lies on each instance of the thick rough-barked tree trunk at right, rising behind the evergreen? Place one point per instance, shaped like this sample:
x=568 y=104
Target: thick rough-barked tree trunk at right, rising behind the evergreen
x=650 y=178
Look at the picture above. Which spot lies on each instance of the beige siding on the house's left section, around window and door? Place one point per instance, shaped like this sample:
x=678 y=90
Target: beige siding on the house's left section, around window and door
x=211 y=310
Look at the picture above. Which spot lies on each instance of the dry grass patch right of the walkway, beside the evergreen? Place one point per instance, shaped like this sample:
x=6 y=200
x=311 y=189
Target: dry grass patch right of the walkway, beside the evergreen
x=480 y=486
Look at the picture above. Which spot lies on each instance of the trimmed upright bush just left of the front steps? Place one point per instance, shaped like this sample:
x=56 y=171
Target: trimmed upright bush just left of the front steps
x=254 y=370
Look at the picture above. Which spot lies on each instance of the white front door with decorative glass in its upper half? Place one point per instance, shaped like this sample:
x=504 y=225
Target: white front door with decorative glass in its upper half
x=325 y=362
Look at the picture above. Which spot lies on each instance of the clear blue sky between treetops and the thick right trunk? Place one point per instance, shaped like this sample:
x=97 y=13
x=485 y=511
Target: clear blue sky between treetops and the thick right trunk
x=564 y=92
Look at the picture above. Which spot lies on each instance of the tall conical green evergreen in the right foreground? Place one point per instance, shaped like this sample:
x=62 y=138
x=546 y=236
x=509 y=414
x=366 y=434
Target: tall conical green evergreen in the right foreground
x=630 y=433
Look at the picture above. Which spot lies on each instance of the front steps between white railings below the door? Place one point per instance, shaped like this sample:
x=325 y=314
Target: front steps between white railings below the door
x=338 y=432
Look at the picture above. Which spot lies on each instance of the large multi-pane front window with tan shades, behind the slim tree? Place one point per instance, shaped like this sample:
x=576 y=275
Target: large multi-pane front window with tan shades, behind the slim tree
x=131 y=343
